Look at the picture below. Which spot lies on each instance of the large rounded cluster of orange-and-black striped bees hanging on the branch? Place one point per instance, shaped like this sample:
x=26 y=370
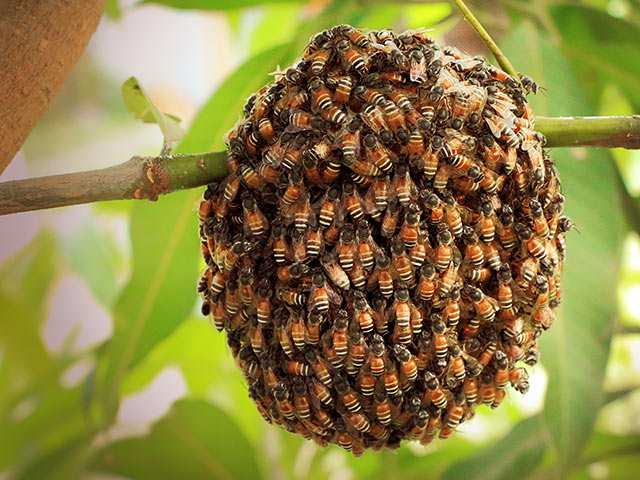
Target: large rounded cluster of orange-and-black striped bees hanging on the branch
x=388 y=245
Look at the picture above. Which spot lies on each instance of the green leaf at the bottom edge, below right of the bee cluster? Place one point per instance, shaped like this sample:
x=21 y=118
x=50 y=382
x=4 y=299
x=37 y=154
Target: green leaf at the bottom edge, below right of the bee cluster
x=515 y=455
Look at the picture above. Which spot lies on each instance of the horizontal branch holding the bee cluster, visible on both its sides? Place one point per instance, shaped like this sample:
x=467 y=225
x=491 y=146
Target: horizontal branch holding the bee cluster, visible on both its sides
x=150 y=177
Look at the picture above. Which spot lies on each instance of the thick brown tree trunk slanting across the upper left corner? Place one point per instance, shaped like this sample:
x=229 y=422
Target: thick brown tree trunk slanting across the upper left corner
x=40 y=43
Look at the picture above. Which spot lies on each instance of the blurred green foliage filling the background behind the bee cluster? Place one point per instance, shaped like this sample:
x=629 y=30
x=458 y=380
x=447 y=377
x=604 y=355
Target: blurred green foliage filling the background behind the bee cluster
x=579 y=421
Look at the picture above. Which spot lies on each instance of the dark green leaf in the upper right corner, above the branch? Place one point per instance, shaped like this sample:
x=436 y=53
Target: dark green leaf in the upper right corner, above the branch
x=603 y=47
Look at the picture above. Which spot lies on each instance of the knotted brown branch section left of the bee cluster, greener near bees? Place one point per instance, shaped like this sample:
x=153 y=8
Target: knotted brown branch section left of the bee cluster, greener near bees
x=139 y=178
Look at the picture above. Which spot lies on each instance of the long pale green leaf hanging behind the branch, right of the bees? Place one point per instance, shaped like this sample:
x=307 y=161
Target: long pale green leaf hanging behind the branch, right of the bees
x=575 y=350
